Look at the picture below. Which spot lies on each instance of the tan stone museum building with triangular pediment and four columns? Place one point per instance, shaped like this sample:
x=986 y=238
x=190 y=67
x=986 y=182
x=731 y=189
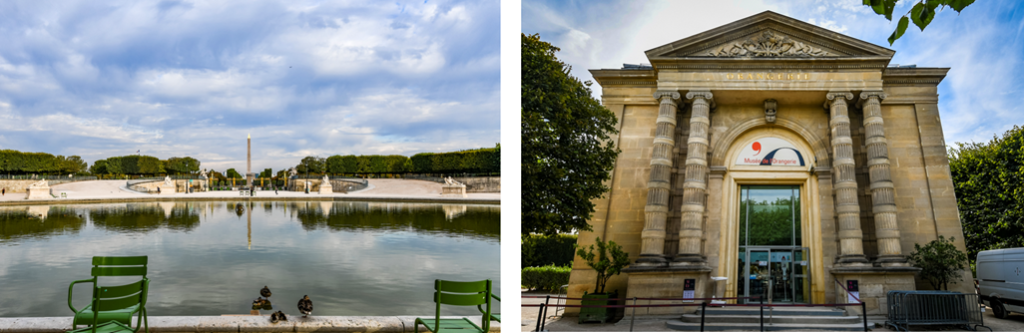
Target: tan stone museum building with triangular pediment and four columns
x=773 y=157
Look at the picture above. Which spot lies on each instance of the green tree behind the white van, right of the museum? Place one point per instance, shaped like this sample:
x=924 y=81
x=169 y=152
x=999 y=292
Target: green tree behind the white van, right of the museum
x=988 y=181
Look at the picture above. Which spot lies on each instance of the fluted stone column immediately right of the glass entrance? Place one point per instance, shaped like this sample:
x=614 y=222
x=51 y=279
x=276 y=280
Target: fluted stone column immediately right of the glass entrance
x=844 y=171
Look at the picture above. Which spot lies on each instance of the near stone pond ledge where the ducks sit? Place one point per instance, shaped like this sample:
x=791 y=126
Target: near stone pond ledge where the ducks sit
x=241 y=324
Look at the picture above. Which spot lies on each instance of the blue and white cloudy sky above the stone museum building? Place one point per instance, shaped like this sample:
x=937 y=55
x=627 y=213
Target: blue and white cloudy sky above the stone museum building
x=983 y=47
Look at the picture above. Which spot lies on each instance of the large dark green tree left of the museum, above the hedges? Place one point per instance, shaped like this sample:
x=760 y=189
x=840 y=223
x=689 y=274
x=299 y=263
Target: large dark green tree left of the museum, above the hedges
x=567 y=151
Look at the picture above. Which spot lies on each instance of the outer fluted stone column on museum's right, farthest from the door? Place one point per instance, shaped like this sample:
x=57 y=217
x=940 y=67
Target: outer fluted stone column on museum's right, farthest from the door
x=883 y=192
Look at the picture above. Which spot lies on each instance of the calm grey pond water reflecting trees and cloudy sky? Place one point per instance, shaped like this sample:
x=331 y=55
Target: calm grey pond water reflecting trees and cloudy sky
x=211 y=259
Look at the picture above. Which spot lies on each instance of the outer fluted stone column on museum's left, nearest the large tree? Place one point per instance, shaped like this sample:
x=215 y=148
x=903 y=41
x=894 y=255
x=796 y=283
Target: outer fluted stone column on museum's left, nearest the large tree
x=657 y=212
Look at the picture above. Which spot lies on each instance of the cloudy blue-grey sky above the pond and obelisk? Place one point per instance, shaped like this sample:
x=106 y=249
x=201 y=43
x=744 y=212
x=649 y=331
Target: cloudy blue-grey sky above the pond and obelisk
x=193 y=78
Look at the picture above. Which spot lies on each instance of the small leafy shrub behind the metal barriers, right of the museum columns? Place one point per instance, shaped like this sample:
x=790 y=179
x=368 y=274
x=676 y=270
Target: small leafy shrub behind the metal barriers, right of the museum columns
x=941 y=263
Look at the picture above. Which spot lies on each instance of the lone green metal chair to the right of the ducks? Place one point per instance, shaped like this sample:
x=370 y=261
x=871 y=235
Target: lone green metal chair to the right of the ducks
x=462 y=295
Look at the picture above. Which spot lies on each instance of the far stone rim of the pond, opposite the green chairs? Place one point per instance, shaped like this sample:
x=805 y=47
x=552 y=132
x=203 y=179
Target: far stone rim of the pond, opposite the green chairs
x=237 y=199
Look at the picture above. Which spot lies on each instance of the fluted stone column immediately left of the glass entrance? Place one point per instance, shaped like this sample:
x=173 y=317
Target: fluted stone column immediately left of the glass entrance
x=696 y=184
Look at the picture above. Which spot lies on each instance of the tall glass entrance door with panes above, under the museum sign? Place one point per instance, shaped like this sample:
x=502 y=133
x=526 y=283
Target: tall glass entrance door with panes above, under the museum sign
x=773 y=263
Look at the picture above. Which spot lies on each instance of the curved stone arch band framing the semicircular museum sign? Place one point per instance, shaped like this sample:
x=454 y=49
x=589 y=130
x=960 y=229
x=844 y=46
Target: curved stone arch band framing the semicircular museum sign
x=818 y=145
